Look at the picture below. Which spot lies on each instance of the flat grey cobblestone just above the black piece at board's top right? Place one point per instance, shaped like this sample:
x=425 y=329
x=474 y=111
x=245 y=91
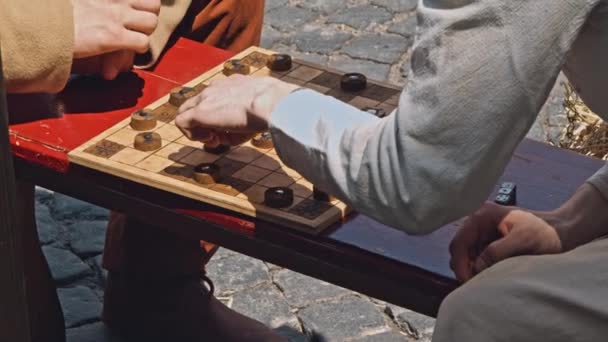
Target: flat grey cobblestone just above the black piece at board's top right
x=384 y=48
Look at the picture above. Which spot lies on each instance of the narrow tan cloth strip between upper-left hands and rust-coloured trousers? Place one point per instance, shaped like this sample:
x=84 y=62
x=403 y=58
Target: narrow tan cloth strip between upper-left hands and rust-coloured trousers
x=171 y=14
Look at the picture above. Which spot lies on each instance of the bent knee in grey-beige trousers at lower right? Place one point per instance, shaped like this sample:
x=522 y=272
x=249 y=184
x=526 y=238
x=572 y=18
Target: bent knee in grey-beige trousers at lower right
x=554 y=298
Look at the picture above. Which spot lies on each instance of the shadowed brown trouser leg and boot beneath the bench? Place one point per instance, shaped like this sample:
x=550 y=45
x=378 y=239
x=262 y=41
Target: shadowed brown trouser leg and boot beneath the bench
x=155 y=291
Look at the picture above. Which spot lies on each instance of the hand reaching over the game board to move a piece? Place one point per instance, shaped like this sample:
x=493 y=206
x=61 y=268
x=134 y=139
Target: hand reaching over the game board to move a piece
x=230 y=111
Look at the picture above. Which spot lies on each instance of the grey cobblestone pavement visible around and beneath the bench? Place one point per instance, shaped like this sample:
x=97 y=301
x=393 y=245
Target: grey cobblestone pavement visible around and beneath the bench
x=370 y=36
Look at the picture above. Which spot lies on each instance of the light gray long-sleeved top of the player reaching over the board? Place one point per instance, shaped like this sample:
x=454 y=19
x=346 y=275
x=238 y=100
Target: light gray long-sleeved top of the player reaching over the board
x=480 y=72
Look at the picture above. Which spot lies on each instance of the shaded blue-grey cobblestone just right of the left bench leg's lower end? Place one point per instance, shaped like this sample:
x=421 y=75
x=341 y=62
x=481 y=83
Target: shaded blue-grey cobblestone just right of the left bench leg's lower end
x=80 y=305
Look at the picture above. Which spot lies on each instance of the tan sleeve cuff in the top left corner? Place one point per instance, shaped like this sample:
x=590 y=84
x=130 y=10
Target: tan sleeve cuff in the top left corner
x=37 y=39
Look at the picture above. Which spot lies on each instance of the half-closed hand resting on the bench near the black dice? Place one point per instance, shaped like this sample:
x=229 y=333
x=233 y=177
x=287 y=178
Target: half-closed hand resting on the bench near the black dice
x=495 y=233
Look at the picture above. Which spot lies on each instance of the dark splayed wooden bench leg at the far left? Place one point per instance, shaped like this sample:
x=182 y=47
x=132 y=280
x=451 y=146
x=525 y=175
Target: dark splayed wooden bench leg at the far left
x=46 y=318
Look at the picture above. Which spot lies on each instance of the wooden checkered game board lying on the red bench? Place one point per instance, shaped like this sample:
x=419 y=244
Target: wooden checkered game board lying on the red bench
x=246 y=171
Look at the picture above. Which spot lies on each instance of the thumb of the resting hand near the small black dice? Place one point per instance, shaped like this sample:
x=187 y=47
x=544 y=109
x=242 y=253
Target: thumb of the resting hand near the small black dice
x=510 y=245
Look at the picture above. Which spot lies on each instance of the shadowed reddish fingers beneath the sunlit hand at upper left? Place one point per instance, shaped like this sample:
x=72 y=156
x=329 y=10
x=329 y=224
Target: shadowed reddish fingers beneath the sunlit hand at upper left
x=108 y=65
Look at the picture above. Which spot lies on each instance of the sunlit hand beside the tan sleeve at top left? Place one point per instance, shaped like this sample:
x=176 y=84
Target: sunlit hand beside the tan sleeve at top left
x=102 y=26
